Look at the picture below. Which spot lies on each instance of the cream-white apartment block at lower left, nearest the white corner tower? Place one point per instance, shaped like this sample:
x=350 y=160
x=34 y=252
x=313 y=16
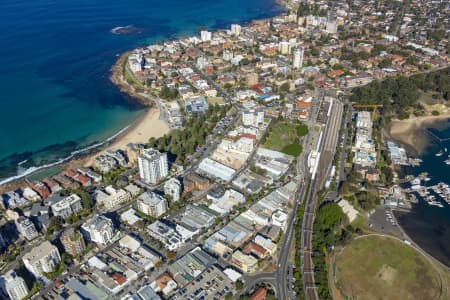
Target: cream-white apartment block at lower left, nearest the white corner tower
x=43 y=258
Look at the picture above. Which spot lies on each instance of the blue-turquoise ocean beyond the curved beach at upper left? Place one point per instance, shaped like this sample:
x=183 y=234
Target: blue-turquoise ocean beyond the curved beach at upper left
x=55 y=59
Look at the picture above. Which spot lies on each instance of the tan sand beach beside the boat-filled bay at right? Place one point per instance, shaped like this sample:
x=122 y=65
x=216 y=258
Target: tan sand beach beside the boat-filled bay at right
x=411 y=131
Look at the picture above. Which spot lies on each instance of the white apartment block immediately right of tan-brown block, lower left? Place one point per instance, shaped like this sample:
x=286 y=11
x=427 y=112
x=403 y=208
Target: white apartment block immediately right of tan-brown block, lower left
x=98 y=229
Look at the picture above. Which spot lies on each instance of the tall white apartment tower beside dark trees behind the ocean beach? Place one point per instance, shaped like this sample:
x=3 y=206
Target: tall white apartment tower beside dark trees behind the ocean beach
x=153 y=166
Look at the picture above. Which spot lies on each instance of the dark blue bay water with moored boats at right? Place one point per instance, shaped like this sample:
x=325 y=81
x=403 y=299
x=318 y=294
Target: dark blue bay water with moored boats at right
x=429 y=226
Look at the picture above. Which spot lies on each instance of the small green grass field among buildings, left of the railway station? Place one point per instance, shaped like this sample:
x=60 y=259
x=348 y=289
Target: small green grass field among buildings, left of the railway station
x=285 y=137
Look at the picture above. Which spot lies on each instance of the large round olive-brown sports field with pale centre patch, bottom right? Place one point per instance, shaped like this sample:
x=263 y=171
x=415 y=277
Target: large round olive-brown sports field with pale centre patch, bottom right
x=383 y=268
